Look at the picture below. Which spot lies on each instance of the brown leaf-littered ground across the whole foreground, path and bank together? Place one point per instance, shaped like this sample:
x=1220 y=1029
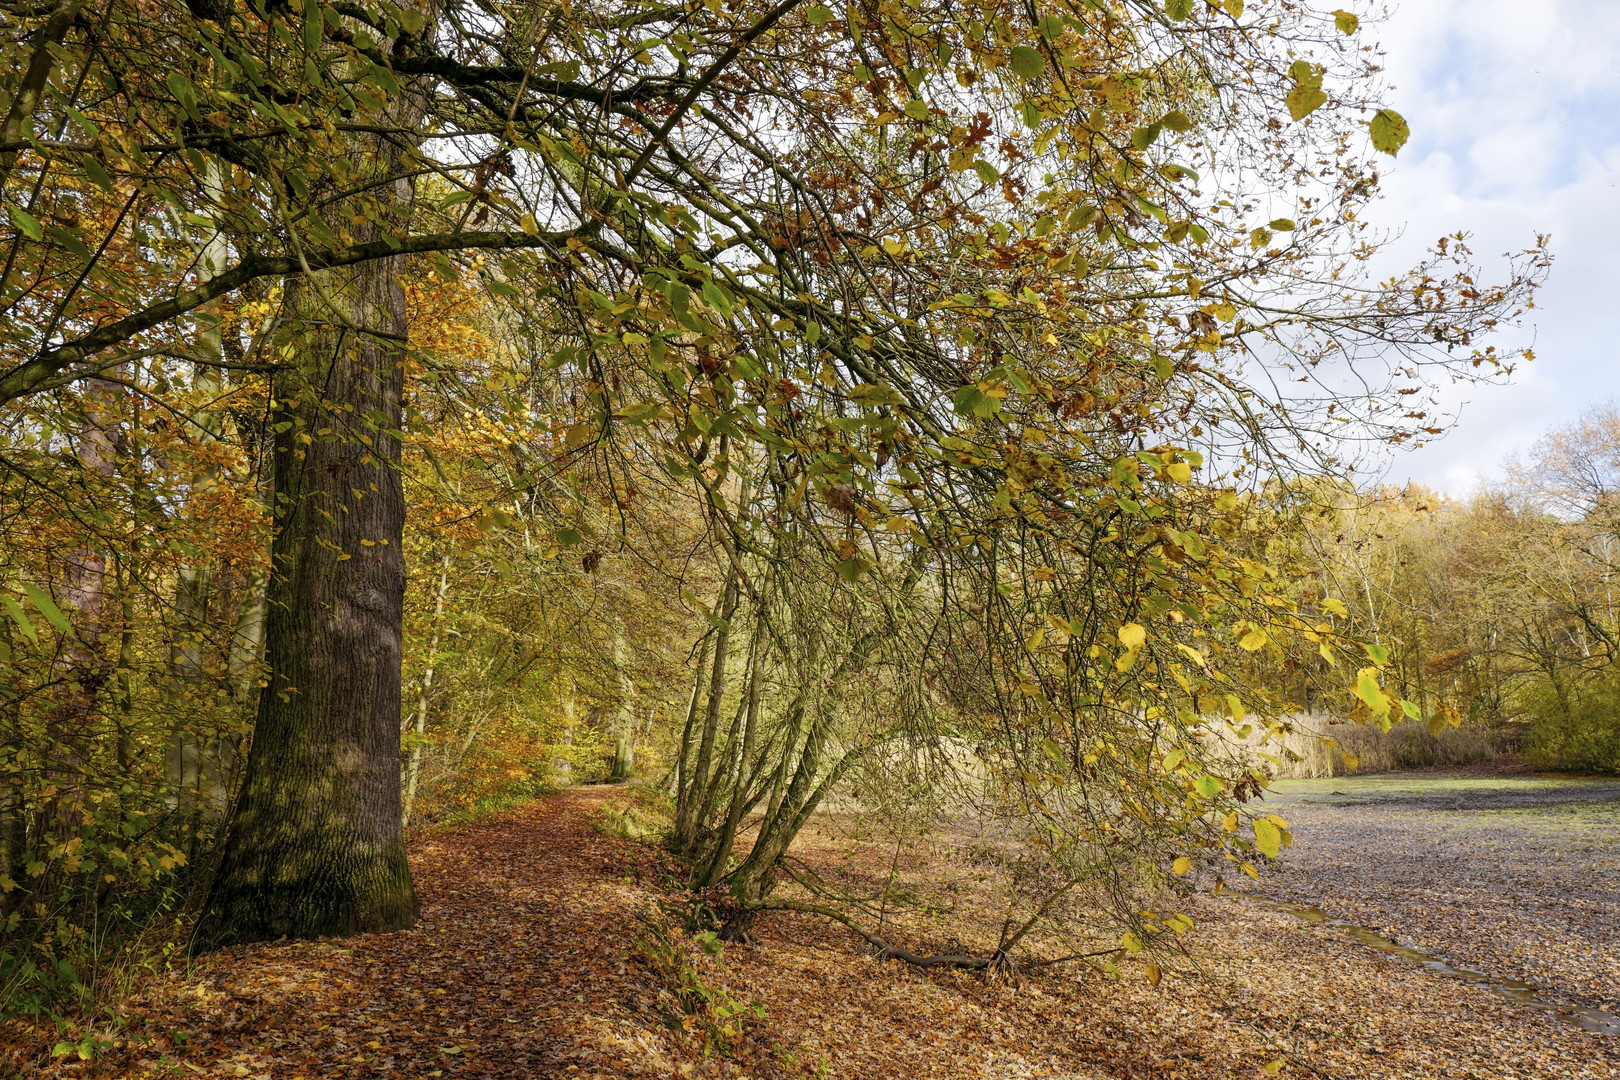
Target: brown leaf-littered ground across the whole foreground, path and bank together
x=524 y=966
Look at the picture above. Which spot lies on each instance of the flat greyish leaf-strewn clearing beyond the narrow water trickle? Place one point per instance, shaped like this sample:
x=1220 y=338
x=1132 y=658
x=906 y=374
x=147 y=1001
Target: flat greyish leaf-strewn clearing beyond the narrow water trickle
x=1512 y=875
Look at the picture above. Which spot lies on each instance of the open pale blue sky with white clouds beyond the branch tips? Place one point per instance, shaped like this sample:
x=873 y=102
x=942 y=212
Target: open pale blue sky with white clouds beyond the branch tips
x=1516 y=117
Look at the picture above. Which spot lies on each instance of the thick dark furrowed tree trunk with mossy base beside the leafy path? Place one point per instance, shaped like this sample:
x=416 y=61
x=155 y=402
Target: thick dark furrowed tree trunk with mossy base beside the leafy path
x=317 y=844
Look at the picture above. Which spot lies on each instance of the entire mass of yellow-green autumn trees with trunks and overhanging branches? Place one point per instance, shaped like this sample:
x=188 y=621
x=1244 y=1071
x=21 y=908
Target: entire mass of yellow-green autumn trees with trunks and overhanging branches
x=411 y=409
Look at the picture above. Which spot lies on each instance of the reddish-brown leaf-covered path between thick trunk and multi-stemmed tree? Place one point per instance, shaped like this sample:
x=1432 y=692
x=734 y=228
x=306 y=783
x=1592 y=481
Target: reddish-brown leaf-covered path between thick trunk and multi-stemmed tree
x=516 y=969
